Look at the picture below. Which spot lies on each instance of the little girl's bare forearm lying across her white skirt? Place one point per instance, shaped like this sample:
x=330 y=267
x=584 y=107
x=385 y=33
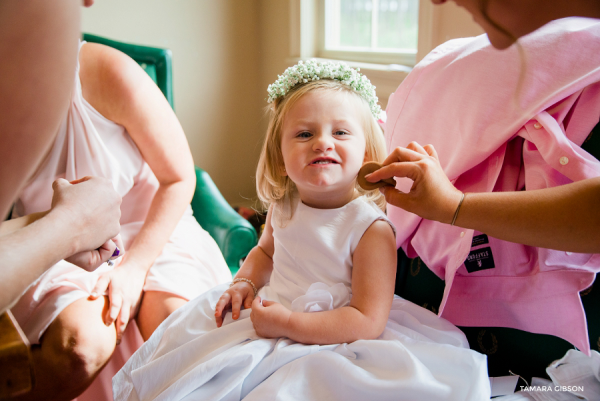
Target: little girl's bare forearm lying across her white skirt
x=343 y=325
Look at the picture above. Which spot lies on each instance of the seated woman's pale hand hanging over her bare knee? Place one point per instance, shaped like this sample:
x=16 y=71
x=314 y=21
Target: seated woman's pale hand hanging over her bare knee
x=124 y=285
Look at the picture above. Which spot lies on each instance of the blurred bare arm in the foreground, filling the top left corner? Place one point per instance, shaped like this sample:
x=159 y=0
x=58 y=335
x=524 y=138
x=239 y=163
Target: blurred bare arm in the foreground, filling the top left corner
x=38 y=51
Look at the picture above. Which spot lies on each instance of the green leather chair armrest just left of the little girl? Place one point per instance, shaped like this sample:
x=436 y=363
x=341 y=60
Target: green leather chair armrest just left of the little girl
x=234 y=235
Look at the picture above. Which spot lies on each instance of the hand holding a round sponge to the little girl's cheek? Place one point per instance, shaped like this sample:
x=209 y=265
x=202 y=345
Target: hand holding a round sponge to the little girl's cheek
x=432 y=195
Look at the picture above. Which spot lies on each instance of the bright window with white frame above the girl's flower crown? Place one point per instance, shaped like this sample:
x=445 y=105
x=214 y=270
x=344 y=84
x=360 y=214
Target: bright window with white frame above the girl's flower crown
x=384 y=31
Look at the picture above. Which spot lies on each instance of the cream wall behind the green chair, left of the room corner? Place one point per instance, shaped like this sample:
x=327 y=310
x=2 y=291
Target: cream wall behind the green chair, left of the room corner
x=215 y=69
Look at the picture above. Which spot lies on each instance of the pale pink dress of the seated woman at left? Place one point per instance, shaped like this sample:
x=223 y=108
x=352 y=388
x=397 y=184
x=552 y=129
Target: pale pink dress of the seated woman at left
x=89 y=144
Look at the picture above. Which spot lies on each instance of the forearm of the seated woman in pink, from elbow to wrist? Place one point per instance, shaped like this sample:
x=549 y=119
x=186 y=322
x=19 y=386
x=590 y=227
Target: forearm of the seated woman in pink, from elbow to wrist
x=166 y=209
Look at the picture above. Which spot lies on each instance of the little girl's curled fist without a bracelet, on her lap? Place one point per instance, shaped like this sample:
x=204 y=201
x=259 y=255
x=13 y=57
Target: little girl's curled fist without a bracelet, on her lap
x=270 y=319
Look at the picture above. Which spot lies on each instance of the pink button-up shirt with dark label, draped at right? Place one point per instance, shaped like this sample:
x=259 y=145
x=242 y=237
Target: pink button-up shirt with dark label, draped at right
x=494 y=134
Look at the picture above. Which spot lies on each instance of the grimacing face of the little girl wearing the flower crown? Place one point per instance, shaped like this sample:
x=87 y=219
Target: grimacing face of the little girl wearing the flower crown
x=323 y=147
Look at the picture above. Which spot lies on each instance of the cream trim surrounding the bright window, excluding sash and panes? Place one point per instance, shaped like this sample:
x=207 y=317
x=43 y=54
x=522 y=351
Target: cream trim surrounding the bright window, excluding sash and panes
x=304 y=44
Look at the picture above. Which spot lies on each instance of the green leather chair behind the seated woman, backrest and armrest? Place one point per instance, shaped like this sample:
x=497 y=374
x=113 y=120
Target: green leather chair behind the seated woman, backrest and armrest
x=234 y=235
